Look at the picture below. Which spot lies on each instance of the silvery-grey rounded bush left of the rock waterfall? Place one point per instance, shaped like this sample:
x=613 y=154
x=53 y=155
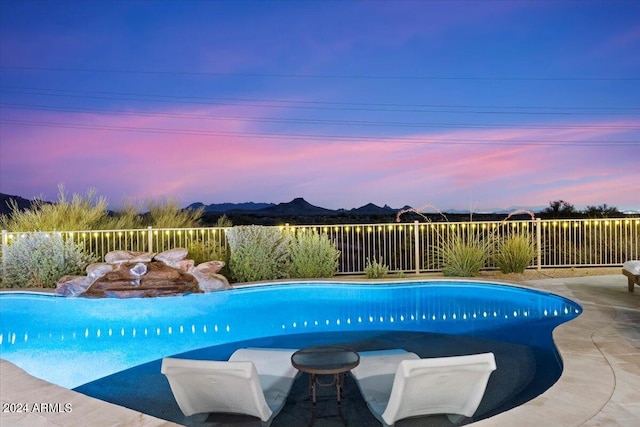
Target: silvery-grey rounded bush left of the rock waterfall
x=39 y=259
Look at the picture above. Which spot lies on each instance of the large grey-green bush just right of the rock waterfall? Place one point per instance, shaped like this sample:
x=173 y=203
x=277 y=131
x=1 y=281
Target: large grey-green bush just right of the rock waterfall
x=257 y=253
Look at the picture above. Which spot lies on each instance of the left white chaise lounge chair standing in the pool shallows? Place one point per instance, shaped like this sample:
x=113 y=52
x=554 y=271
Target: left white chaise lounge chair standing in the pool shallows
x=253 y=382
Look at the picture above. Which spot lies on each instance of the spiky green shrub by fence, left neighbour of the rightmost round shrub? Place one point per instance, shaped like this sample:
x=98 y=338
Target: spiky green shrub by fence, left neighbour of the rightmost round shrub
x=462 y=256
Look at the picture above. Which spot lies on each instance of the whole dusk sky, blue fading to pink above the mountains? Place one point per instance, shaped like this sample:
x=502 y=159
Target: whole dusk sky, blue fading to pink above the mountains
x=459 y=104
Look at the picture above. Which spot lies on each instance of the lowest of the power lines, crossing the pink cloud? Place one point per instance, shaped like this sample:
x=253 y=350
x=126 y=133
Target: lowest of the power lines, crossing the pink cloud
x=288 y=136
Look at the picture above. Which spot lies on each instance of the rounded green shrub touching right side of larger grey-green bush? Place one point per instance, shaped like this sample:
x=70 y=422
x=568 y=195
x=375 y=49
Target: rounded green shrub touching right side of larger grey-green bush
x=312 y=255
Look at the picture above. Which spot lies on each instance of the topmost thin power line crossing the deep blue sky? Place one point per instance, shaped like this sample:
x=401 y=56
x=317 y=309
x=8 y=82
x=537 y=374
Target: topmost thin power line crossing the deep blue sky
x=316 y=76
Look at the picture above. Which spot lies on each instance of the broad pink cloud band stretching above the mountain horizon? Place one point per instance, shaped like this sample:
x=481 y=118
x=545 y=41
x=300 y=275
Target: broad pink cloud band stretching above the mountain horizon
x=216 y=167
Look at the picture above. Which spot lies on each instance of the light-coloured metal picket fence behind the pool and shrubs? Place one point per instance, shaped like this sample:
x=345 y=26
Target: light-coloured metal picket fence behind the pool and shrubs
x=403 y=247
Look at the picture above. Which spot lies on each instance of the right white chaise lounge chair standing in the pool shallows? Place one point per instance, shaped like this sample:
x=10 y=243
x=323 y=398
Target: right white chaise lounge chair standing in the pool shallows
x=396 y=384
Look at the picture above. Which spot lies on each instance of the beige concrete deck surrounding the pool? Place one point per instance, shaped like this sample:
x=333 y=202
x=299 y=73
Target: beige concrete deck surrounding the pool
x=598 y=387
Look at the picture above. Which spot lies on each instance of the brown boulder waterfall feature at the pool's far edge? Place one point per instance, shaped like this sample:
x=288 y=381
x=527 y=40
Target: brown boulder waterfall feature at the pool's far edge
x=129 y=274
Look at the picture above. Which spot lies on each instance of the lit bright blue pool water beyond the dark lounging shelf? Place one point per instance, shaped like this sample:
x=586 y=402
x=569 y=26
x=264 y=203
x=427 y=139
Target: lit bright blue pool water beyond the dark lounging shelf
x=73 y=341
